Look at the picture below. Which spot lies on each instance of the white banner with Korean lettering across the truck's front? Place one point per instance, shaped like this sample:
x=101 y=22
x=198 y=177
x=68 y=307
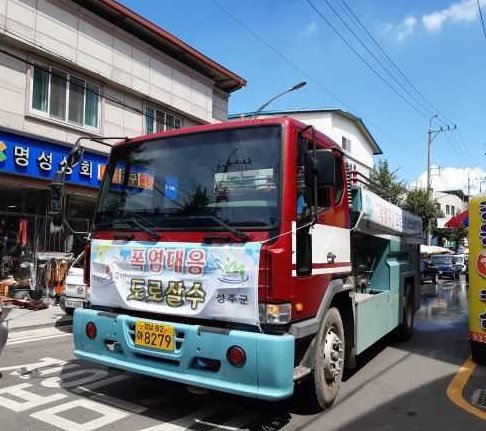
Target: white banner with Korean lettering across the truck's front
x=216 y=282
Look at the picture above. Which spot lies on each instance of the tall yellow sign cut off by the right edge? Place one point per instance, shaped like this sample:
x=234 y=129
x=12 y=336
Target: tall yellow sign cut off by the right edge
x=477 y=269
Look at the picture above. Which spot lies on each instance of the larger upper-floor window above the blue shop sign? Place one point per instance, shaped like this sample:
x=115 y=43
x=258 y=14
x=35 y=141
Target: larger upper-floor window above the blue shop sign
x=63 y=97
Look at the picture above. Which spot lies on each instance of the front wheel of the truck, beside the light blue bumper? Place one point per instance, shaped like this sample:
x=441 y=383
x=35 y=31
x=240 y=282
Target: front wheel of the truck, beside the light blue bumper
x=322 y=387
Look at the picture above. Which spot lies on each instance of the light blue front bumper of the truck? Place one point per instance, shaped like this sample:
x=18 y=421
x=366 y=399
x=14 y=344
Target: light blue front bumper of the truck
x=267 y=373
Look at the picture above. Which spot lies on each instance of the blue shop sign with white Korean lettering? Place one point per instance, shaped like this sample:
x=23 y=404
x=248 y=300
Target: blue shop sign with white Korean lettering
x=33 y=158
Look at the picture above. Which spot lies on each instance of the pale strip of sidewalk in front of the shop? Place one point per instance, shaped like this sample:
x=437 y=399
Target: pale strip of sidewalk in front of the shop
x=22 y=319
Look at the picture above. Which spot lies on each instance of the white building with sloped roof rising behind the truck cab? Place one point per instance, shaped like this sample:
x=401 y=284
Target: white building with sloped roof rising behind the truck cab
x=344 y=128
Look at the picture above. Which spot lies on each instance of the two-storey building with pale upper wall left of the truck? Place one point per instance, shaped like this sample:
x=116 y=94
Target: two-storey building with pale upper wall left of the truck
x=73 y=68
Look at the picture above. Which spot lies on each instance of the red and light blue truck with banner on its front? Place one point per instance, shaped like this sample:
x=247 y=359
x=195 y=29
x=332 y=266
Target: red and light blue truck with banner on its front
x=239 y=257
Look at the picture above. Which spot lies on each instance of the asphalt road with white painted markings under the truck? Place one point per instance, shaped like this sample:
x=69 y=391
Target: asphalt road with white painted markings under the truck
x=396 y=386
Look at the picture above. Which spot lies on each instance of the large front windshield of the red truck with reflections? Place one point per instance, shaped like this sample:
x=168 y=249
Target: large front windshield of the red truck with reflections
x=194 y=181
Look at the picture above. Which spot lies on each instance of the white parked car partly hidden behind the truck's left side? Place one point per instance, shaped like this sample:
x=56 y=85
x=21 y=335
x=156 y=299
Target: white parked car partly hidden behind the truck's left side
x=75 y=292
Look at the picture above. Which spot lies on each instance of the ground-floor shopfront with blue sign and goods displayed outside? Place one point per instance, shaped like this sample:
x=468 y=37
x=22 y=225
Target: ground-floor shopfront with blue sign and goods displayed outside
x=34 y=254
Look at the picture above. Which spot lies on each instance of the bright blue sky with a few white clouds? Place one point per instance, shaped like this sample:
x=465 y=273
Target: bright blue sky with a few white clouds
x=439 y=46
